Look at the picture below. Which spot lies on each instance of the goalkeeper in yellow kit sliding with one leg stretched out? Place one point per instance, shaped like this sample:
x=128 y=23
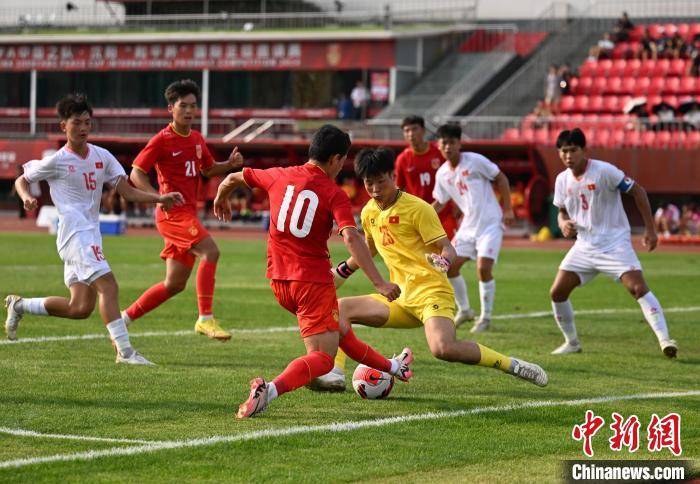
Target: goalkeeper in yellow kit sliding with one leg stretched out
x=407 y=233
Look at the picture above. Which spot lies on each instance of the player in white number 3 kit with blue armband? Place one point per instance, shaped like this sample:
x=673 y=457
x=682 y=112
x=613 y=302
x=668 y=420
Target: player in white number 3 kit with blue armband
x=587 y=194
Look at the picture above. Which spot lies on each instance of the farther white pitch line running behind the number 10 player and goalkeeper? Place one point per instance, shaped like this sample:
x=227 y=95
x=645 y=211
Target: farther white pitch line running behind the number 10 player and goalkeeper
x=285 y=329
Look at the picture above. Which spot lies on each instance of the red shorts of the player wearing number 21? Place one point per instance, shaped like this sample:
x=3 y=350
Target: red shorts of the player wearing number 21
x=180 y=231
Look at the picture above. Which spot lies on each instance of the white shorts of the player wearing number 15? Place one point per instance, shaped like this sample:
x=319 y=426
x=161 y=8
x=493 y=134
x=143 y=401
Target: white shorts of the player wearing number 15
x=83 y=261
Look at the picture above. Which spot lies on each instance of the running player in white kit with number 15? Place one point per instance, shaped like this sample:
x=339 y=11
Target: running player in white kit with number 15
x=76 y=174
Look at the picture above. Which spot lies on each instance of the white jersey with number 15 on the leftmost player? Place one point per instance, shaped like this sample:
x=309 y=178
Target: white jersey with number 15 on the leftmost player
x=76 y=187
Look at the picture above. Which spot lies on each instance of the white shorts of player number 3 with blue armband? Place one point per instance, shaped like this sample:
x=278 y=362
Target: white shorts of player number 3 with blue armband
x=587 y=263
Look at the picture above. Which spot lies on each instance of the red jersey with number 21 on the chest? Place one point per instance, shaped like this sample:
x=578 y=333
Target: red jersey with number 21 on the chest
x=178 y=160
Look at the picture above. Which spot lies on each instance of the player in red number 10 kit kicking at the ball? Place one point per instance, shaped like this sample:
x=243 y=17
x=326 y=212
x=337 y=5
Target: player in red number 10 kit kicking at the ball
x=304 y=202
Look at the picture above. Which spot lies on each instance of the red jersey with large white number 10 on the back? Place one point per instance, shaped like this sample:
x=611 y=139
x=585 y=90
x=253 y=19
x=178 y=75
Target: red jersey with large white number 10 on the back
x=304 y=202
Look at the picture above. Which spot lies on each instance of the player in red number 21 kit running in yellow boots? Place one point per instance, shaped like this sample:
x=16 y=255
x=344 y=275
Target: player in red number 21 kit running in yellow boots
x=179 y=154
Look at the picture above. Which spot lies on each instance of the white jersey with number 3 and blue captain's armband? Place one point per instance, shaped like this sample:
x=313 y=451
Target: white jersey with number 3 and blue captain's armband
x=593 y=202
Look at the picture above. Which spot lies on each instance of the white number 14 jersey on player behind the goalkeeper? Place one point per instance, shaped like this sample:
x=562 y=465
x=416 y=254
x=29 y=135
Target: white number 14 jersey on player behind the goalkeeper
x=469 y=185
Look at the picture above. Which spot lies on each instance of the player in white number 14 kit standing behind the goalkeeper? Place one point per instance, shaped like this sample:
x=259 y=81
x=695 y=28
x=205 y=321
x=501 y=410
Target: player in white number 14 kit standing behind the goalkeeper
x=467 y=179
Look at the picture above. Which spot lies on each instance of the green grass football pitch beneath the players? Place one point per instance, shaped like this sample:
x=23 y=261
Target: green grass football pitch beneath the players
x=73 y=387
